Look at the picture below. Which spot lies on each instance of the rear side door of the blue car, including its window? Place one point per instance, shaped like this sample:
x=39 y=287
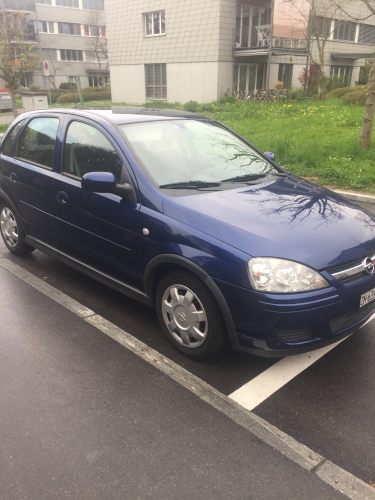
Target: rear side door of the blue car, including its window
x=29 y=173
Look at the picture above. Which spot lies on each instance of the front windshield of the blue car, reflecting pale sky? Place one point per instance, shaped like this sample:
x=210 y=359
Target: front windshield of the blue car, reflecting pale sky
x=182 y=151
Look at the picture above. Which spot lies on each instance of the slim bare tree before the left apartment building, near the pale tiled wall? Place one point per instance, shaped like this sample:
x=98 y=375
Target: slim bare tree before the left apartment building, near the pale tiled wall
x=96 y=44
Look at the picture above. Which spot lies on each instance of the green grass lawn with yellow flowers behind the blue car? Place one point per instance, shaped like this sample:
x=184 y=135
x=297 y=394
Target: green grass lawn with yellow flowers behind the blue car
x=313 y=139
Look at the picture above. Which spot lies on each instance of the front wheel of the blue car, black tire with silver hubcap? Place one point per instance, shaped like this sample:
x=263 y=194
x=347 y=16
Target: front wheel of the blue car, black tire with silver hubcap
x=189 y=316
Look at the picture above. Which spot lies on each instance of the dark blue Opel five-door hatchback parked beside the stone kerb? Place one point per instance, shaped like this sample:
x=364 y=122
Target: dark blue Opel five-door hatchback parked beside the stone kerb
x=175 y=210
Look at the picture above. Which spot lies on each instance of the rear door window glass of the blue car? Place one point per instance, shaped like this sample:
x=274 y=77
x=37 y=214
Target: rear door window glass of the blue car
x=37 y=143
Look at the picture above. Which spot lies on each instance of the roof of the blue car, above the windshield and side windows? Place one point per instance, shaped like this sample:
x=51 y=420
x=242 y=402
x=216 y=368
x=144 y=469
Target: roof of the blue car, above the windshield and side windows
x=121 y=115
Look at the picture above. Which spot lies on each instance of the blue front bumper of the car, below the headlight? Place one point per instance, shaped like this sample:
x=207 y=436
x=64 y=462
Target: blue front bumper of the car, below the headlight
x=279 y=325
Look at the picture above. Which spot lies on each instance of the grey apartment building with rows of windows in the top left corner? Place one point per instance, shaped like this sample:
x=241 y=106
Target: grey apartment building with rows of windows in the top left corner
x=70 y=35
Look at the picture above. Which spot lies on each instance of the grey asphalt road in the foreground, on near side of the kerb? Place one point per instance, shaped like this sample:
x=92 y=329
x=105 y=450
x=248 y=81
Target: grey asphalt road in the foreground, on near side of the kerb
x=83 y=417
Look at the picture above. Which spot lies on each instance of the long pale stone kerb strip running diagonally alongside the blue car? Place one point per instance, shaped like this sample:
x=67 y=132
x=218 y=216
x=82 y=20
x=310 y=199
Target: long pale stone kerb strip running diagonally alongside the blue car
x=333 y=475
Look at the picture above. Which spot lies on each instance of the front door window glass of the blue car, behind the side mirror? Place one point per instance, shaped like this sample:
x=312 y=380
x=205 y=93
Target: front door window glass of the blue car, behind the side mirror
x=87 y=150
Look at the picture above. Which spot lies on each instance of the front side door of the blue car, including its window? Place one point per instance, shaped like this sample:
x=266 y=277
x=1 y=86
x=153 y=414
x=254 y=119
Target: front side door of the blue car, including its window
x=101 y=227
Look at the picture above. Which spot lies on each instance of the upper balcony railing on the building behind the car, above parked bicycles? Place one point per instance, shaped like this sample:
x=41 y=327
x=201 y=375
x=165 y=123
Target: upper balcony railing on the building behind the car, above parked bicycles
x=257 y=37
